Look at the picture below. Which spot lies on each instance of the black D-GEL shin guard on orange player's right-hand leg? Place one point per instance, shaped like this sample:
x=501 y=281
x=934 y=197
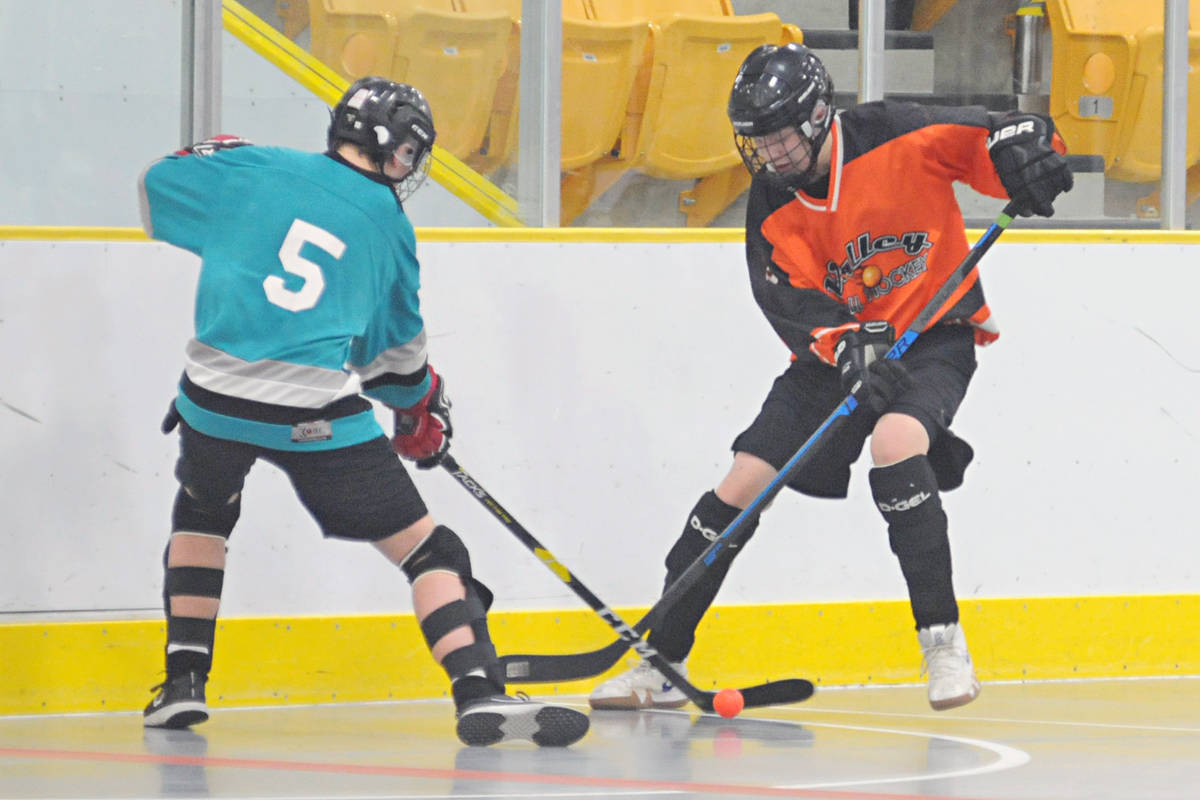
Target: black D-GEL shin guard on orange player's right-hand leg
x=907 y=495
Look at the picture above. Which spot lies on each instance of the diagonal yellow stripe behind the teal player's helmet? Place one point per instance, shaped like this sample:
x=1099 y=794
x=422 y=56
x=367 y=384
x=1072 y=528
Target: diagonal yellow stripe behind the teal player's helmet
x=311 y=74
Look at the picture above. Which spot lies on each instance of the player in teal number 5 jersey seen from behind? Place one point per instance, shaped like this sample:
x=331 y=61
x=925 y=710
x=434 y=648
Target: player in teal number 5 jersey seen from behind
x=307 y=309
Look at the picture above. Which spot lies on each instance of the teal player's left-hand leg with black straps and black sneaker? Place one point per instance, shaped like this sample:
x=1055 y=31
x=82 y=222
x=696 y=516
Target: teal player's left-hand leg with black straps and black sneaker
x=212 y=473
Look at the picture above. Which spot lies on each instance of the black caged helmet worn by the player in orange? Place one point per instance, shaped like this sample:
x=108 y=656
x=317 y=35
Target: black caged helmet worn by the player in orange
x=781 y=88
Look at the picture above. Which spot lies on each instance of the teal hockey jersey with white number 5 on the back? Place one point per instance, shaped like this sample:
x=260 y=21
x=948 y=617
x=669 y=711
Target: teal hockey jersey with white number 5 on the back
x=308 y=292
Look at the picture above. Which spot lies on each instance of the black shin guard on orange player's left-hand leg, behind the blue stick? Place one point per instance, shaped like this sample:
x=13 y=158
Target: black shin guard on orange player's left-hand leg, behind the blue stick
x=676 y=635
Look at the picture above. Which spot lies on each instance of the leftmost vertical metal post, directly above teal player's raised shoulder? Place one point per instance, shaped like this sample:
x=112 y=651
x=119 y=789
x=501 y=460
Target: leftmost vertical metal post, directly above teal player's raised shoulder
x=201 y=71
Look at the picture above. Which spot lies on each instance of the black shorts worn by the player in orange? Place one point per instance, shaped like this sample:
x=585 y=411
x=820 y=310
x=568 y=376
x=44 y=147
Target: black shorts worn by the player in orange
x=941 y=363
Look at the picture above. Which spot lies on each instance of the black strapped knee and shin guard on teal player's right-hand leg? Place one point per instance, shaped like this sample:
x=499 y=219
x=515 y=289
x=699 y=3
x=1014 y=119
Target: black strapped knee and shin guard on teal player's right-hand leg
x=443 y=552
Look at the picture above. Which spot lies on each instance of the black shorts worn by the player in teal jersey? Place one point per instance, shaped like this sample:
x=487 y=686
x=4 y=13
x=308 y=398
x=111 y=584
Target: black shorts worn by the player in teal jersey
x=358 y=492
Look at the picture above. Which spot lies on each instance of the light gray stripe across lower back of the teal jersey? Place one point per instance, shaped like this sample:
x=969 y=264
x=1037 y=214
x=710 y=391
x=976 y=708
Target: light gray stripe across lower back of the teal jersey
x=267 y=381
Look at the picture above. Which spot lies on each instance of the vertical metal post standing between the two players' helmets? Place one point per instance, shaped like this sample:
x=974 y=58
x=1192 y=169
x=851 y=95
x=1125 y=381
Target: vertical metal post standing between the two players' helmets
x=541 y=139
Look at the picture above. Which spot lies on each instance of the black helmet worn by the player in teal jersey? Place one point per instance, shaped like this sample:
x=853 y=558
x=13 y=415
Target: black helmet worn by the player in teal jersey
x=380 y=116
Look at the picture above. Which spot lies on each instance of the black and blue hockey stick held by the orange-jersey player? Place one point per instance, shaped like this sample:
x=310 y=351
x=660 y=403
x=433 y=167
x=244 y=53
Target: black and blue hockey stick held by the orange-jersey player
x=548 y=669
